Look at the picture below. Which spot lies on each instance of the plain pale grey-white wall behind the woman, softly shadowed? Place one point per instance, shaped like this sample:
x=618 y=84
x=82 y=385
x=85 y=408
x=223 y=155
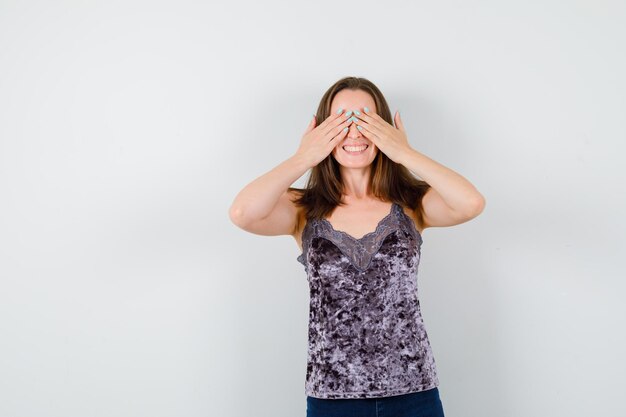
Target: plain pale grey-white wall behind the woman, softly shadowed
x=128 y=127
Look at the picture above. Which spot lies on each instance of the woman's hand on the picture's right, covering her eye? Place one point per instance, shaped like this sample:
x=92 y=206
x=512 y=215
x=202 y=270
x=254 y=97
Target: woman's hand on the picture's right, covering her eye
x=390 y=140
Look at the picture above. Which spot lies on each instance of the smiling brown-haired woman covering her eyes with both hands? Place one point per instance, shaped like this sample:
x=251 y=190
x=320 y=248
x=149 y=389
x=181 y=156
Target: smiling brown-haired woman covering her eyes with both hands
x=359 y=225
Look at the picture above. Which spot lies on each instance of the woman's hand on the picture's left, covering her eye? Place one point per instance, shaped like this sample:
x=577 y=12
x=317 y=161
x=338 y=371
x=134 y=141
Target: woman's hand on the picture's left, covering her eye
x=318 y=142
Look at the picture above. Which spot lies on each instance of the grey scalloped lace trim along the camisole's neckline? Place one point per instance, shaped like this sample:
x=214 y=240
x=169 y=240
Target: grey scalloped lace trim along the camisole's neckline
x=359 y=251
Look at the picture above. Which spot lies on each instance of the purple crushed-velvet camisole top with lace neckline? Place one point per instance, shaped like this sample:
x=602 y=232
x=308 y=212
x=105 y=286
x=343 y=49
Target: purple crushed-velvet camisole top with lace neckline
x=366 y=337
